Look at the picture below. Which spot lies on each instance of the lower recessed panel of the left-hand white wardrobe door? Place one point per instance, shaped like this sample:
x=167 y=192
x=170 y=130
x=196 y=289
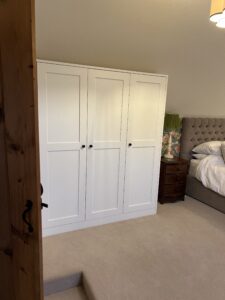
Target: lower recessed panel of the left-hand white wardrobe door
x=63 y=186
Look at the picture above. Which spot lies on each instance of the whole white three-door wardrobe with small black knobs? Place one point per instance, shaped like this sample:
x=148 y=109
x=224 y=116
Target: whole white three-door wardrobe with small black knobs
x=100 y=144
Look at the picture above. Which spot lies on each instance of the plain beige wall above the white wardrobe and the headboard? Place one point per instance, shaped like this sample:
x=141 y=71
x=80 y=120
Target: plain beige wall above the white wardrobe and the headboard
x=172 y=37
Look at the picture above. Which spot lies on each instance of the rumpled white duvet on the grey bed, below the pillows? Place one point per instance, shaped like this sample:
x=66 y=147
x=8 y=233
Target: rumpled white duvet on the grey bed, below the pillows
x=211 y=172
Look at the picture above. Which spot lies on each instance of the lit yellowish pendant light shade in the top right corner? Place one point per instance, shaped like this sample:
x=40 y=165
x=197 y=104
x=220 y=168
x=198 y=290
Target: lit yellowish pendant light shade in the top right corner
x=217 y=13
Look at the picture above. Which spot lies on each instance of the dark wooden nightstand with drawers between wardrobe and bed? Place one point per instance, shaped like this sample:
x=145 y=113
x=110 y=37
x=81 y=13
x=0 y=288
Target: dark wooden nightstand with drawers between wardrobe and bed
x=172 y=183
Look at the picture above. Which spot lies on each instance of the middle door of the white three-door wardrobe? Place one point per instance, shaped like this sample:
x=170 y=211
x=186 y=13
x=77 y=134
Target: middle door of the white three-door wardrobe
x=107 y=121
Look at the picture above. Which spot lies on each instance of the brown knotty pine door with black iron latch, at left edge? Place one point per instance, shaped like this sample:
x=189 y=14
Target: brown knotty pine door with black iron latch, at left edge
x=20 y=246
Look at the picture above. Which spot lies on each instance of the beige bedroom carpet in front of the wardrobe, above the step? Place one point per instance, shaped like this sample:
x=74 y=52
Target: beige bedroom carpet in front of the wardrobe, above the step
x=179 y=254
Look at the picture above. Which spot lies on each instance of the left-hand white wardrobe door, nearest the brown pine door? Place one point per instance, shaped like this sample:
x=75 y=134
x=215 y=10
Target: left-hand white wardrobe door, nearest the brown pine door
x=62 y=118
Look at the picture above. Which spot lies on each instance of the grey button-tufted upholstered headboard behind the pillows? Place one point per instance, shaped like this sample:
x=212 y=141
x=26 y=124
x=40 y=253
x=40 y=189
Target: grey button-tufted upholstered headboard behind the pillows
x=196 y=131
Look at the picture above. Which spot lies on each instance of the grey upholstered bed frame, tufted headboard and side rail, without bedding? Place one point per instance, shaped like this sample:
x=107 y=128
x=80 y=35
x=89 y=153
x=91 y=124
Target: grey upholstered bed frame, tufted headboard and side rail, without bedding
x=194 y=132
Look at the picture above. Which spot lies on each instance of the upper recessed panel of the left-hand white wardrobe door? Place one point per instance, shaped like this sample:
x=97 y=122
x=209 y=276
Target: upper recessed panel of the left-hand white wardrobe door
x=62 y=103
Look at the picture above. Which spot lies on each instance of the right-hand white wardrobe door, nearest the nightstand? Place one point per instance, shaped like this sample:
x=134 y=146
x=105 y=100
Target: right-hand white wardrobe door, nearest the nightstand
x=144 y=140
